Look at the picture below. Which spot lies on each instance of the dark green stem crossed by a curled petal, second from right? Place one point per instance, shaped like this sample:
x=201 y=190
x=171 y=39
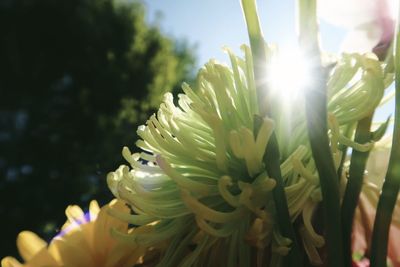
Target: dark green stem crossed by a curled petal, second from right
x=354 y=185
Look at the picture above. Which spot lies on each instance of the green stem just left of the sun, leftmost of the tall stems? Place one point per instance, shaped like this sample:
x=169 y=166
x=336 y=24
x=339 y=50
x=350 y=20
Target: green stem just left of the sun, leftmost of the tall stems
x=272 y=155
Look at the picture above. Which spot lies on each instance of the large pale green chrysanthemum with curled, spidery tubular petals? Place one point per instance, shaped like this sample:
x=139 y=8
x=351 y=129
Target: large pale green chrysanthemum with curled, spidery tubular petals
x=201 y=179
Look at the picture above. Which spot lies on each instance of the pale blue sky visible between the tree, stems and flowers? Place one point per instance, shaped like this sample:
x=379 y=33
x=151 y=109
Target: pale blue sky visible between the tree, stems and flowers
x=212 y=24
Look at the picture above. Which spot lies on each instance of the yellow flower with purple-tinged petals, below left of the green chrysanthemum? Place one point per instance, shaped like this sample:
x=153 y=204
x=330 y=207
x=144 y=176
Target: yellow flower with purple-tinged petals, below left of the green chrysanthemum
x=83 y=241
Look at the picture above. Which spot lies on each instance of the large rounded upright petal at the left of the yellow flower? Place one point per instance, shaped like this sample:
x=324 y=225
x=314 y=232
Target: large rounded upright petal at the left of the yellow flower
x=29 y=244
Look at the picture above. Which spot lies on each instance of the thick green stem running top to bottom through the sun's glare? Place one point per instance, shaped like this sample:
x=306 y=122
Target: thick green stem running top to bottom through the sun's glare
x=316 y=112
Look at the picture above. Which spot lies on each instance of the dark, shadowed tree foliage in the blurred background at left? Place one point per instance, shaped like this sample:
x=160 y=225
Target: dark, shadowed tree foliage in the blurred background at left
x=76 y=79
